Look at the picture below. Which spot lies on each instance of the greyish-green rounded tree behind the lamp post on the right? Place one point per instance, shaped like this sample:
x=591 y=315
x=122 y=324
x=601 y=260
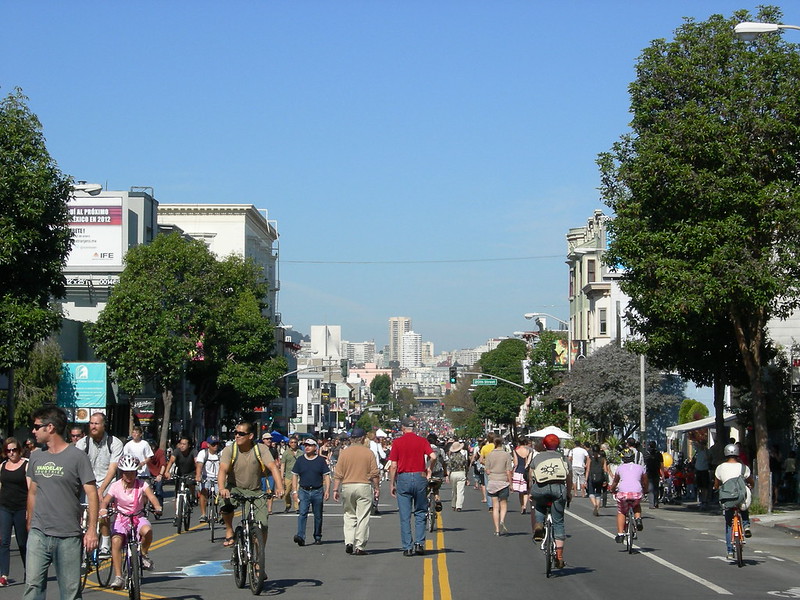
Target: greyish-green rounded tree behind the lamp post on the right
x=605 y=389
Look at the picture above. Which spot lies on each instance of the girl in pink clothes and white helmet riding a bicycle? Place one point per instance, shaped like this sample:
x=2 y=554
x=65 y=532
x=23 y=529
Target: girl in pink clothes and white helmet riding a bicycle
x=129 y=493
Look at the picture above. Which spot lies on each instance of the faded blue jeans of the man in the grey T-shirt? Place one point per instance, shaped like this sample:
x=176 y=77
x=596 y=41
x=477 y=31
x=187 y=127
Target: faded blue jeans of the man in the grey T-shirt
x=64 y=554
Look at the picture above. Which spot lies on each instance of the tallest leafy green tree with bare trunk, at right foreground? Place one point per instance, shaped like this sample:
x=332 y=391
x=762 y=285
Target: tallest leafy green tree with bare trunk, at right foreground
x=705 y=190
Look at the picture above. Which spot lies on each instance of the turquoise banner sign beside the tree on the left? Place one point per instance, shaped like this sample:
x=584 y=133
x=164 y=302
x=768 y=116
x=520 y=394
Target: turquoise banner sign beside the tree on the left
x=82 y=389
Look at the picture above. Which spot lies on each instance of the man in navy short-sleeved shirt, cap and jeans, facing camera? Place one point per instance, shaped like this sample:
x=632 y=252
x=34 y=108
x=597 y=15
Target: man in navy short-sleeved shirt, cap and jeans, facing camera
x=311 y=480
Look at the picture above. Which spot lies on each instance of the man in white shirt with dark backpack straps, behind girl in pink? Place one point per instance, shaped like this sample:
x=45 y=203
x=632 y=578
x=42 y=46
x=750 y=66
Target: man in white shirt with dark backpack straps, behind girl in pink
x=104 y=451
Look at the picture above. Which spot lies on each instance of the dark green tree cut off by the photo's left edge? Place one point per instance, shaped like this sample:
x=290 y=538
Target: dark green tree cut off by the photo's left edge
x=34 y=235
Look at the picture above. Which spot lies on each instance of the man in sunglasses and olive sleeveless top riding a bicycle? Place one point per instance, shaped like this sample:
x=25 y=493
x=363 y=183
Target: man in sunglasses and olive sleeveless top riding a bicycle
x=241 y=467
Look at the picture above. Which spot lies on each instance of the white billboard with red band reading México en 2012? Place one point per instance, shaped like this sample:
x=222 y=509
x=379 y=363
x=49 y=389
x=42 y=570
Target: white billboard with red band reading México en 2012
x=96 y=225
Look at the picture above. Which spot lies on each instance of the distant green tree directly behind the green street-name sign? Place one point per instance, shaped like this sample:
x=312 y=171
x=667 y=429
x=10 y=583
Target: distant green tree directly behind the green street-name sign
x=501 y=403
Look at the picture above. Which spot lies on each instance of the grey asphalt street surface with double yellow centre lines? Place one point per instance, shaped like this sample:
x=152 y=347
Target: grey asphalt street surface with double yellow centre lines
x=680 y=554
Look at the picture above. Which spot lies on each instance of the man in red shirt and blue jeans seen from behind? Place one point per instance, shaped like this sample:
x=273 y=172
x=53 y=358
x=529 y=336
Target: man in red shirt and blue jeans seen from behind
x=411 y=462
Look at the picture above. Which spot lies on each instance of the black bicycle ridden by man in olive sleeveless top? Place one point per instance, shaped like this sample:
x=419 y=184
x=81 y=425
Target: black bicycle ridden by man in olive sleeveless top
x=249 y=550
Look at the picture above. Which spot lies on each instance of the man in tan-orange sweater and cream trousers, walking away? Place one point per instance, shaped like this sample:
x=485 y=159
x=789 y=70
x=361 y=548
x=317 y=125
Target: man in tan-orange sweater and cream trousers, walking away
x=357 y=482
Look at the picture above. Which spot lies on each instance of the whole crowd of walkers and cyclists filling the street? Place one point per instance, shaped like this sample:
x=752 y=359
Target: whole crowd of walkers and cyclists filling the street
x=44 y=483
